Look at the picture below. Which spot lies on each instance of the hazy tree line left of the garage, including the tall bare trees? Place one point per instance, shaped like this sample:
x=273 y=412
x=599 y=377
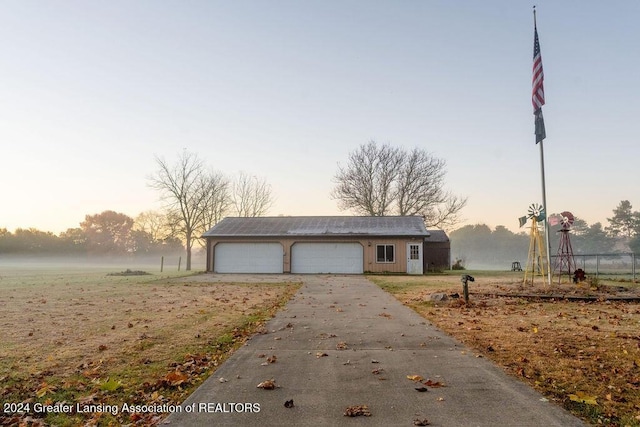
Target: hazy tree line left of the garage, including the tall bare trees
x=195 y=198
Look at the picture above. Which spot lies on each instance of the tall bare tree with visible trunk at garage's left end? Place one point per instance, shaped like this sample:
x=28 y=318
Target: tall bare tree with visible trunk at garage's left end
x=181 y=188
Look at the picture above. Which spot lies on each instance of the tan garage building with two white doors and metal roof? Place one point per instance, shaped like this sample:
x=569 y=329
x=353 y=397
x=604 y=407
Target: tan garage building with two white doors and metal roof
x=317 y=244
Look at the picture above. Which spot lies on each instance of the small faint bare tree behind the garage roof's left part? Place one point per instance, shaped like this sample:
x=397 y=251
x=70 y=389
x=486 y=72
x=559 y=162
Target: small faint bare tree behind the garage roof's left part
x=251 y=196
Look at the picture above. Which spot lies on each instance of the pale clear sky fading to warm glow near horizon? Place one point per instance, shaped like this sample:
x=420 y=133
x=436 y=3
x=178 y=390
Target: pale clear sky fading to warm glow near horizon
x=91 y=92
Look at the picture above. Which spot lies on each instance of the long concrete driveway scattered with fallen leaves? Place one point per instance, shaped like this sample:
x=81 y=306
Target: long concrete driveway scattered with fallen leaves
x=342 y=342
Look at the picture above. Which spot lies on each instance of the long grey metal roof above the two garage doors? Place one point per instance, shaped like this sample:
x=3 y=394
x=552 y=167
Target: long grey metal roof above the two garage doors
x=283 y=226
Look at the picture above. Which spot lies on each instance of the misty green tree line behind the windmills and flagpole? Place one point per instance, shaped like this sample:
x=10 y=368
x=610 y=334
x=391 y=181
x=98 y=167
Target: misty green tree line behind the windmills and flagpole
x=479 y=246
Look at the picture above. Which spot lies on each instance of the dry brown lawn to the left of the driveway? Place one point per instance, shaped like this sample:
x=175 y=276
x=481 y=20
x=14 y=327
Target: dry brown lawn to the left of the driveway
x=89 y=337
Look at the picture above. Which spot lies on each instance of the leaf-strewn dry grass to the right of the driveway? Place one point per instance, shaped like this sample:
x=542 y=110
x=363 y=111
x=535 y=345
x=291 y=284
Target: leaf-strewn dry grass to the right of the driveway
x=584 y=354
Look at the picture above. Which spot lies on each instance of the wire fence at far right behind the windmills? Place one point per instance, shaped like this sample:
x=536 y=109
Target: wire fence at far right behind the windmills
x=617 y=265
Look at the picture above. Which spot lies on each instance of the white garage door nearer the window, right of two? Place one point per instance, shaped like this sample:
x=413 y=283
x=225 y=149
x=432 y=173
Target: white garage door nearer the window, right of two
x=327 y=258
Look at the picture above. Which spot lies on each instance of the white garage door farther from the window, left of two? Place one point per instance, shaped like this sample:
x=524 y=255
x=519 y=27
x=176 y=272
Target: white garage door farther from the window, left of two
x=248 y=258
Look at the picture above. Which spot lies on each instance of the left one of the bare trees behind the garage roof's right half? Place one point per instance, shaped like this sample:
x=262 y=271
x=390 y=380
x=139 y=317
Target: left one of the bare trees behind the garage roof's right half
x=365 y=184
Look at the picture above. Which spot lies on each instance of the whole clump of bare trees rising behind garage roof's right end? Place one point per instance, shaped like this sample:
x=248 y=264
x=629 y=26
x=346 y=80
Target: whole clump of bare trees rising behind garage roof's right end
x=383 y=180
